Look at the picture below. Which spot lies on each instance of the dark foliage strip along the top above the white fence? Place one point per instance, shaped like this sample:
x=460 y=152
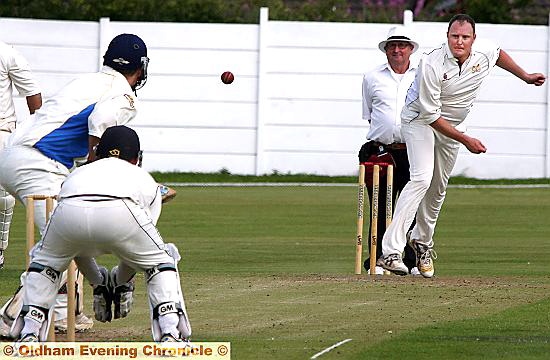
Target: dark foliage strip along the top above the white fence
x=247 y=11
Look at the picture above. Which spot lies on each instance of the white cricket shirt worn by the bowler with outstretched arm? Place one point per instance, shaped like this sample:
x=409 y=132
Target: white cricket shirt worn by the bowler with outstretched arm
x=441 y=88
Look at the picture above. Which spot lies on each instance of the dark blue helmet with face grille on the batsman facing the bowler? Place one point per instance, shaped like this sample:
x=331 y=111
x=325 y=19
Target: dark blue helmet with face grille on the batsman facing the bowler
x=127 y=53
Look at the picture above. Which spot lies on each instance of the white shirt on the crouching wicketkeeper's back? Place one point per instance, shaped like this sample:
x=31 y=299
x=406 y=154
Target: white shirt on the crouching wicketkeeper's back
x=114 y=178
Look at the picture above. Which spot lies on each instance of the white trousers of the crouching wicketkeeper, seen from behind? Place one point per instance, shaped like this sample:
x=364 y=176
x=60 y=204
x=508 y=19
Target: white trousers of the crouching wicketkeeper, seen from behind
x=84 y=229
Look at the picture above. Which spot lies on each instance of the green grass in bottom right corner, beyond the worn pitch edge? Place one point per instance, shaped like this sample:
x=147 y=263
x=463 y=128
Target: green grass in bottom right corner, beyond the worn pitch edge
x=520 y=332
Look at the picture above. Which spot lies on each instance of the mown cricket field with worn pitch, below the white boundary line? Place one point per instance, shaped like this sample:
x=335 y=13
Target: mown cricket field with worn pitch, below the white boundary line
x=271 y=271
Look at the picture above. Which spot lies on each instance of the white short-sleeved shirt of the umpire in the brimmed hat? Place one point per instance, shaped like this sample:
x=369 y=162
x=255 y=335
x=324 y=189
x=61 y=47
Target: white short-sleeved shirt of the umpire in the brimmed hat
x=384 y=94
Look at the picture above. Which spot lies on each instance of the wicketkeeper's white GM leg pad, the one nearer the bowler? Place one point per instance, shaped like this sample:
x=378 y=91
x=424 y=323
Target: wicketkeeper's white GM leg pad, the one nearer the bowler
x=166 y=297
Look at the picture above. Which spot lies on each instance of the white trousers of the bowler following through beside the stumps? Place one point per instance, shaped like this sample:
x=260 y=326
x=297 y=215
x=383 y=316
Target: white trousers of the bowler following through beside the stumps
x=432 y=157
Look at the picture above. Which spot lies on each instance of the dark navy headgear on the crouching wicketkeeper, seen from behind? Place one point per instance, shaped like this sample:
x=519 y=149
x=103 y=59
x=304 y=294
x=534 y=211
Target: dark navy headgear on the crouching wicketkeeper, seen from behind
x=119 y=141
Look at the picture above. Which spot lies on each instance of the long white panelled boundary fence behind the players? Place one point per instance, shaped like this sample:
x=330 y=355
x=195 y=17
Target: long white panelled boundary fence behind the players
x=295 y=105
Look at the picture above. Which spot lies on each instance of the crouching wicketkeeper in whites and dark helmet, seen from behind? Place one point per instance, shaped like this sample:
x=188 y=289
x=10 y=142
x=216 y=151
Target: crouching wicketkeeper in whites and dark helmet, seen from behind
x=107 y=206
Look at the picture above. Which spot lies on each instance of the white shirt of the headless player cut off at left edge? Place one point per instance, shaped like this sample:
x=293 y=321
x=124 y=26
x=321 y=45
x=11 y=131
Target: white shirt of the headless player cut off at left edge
x=14 y=72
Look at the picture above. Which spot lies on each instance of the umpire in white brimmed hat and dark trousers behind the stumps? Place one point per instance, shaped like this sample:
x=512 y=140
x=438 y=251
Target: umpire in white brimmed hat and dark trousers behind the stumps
x=384 y=90
